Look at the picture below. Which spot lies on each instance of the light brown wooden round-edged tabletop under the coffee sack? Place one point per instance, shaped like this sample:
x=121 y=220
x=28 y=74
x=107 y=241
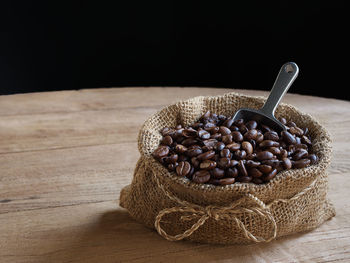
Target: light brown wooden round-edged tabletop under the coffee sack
x=64 y=157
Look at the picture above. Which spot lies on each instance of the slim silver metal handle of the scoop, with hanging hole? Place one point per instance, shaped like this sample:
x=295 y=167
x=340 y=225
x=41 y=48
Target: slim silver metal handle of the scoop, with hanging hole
x=288 y=73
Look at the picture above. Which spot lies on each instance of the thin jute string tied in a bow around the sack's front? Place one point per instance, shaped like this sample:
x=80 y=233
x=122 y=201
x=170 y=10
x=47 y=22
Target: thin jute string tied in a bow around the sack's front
x=218 y=213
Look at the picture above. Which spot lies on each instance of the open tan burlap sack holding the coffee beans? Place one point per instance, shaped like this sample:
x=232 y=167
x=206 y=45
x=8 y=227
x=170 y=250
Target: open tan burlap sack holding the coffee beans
x=294 y=201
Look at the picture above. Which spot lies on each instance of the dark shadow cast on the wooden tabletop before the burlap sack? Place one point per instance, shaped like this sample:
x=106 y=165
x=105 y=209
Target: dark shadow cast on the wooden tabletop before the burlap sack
x=116 y=237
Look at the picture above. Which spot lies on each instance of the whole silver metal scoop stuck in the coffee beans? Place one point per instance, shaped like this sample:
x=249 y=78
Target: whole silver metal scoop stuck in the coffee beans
x=265 y=115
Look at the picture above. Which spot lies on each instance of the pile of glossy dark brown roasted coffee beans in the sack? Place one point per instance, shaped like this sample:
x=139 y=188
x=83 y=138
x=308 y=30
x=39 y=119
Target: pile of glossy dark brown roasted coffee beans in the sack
x=217 y=150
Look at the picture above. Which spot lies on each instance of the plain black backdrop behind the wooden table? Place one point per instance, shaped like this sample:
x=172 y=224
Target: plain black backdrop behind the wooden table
x=49 y=45
